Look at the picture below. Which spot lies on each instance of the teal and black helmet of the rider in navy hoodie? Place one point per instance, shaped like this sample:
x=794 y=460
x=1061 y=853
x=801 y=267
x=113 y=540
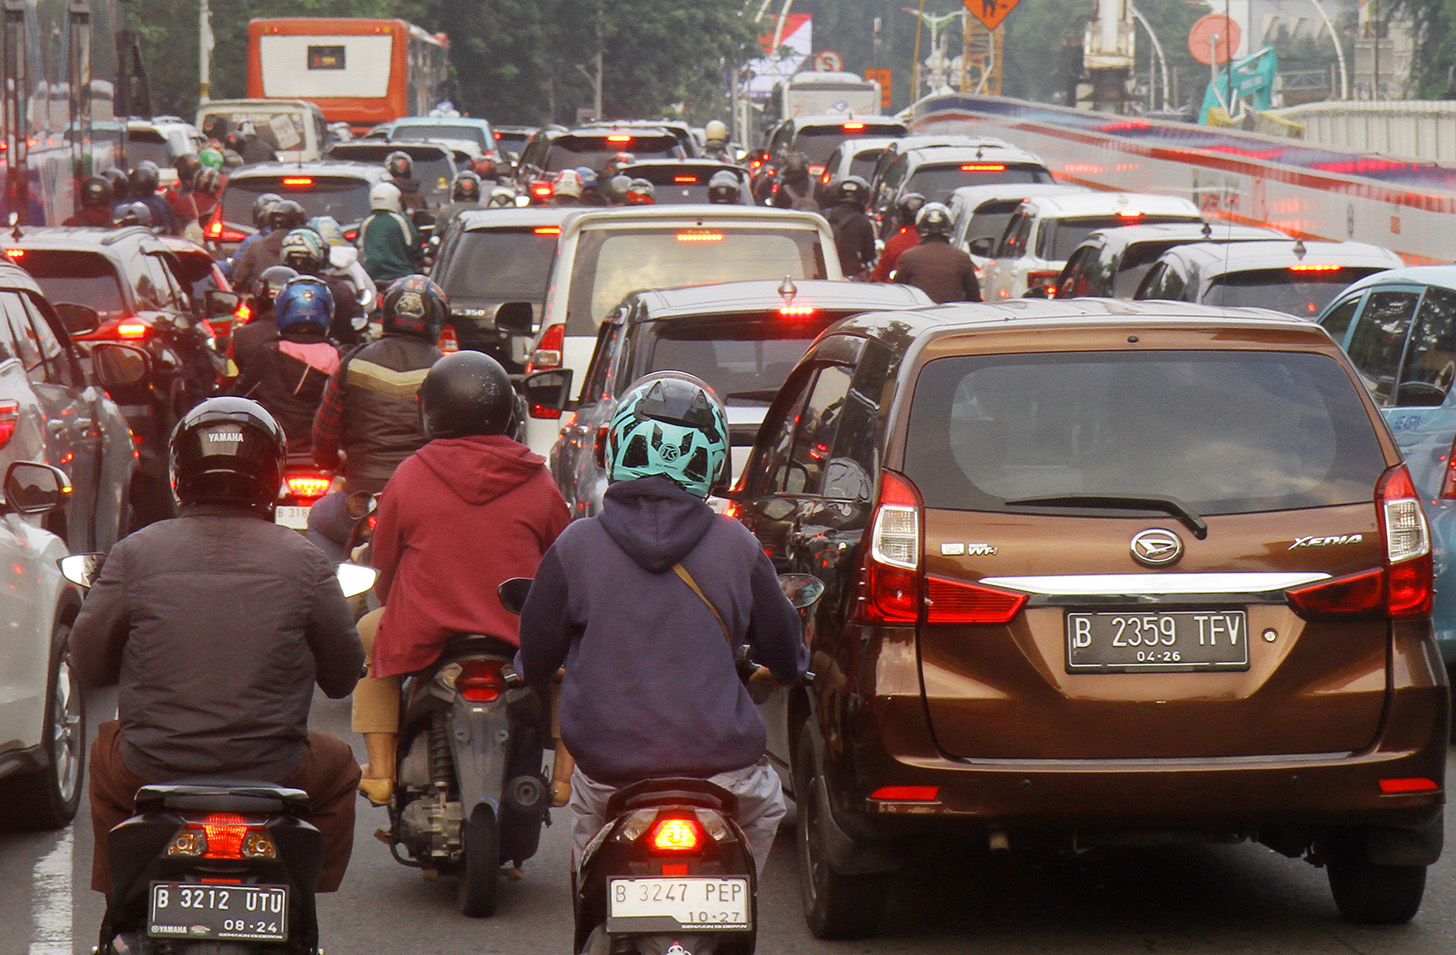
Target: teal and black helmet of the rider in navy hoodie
x=669 y=424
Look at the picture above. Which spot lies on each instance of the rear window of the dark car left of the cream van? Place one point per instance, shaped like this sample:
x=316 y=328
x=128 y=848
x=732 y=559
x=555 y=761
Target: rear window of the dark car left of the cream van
x=500 y=266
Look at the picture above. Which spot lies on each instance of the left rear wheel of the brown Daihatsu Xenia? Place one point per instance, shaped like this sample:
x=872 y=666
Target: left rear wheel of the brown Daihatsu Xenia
x=836 y=906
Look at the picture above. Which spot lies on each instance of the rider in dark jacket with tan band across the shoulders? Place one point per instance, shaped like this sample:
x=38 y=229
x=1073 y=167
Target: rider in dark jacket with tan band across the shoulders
x=369 y=410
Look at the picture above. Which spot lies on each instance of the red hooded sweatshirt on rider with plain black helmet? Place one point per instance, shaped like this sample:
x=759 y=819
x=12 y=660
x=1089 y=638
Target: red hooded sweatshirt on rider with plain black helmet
x=458 y=518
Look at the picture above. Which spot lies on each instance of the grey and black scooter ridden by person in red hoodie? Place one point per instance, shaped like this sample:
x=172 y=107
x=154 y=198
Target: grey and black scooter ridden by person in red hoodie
x=470 y=790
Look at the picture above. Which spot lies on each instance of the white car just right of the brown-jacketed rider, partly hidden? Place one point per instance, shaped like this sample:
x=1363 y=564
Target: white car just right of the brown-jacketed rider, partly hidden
x=1046 y=229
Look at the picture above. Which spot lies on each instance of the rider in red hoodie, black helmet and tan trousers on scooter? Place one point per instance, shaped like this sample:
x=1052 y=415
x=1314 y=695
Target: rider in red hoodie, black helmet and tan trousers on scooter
x=467 y=512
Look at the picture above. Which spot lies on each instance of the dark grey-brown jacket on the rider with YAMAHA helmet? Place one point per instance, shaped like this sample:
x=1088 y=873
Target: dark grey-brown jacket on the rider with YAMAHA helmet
x=216 y=627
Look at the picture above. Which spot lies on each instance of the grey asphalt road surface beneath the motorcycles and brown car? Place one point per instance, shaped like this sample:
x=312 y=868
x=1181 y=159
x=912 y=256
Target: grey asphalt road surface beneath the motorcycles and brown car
x=1216 y=900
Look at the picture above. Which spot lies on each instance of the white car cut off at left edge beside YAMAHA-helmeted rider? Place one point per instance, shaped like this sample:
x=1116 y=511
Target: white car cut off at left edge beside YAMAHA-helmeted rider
x=43 y=730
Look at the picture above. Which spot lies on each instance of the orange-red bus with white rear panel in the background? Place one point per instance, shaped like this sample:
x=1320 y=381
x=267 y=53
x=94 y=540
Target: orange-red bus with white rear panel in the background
x=362 y=72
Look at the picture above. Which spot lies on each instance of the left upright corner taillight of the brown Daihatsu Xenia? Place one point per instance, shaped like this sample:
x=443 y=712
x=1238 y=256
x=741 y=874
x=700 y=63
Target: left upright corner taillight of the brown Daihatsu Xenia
x=890 y=582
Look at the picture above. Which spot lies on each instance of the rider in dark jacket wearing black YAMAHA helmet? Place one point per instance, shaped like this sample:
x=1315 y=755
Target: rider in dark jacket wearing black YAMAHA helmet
x=216 y=627
